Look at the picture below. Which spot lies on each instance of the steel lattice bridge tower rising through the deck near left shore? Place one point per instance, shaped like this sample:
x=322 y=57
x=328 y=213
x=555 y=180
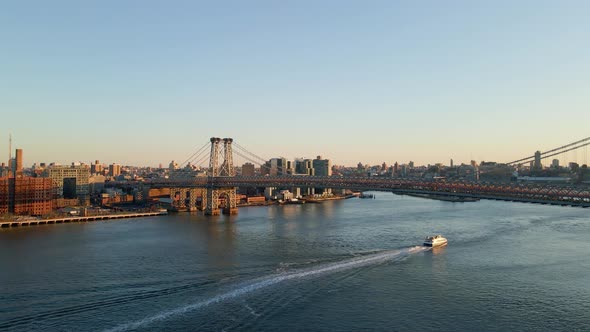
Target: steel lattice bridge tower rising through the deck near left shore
x=221 y=164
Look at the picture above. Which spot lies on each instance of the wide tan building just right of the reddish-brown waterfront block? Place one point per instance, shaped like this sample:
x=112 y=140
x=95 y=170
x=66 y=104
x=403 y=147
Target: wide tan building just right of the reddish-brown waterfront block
x=70 y=181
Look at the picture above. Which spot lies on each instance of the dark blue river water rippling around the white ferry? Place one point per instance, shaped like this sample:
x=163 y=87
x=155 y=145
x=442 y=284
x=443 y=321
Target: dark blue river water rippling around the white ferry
x=337 y=266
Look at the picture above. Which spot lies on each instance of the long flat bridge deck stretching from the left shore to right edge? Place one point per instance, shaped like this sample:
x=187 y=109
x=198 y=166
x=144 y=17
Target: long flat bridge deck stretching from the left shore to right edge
x=518 y=192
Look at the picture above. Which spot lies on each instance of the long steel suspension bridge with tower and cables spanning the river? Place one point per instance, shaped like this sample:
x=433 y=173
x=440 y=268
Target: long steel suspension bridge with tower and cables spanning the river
x=215 y=191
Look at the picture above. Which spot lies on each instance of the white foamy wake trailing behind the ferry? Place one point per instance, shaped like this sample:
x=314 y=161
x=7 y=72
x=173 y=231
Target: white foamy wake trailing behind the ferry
x=257 y=284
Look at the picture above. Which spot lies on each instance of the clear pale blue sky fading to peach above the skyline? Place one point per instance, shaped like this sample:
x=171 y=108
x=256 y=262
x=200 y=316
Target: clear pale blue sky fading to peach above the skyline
x=144 y=82
